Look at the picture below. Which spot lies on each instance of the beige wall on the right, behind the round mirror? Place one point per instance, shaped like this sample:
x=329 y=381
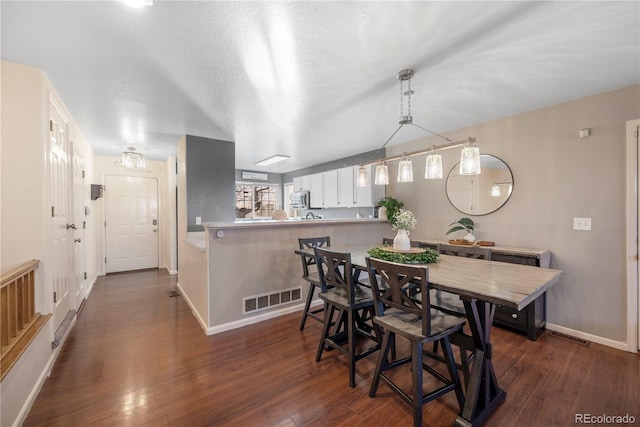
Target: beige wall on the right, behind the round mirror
x=557 y=176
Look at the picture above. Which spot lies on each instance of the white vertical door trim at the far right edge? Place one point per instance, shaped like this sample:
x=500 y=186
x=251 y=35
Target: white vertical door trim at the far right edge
x=632 y=236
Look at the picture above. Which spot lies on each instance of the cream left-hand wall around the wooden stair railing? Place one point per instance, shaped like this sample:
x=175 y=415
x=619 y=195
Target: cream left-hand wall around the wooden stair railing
x=25 y=219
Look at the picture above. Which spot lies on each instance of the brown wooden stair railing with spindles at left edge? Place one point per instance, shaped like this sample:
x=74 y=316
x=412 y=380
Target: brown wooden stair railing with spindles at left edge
x=19 y=323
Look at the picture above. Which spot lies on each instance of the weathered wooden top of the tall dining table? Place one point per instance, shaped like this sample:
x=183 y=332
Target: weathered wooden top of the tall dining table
x=510 y=285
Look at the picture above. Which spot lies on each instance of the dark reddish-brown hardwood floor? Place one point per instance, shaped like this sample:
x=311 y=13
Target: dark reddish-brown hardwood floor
x=137 y=357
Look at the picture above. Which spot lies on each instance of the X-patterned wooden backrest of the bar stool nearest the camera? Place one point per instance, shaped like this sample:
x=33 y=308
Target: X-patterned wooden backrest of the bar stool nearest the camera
x=401 y=287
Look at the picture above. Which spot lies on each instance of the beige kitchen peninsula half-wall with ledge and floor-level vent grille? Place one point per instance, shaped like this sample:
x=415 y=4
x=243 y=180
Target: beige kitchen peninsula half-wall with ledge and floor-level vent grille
x=239 y=273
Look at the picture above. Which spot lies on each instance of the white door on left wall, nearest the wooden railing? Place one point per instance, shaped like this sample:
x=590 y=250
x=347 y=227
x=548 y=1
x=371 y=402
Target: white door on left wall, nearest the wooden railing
x=61 y=226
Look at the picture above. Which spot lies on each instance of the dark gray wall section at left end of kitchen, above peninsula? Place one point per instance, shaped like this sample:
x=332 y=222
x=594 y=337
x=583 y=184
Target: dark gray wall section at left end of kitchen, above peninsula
x=210 y=166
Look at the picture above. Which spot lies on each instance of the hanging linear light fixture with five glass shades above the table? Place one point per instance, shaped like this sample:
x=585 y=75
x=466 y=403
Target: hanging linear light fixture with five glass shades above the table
x=469 y=158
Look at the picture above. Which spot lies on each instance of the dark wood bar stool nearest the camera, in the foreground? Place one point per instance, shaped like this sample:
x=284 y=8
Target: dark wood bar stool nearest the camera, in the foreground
x=400 y=311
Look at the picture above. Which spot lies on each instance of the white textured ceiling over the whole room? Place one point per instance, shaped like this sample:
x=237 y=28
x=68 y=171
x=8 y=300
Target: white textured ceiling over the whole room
x=313 y=80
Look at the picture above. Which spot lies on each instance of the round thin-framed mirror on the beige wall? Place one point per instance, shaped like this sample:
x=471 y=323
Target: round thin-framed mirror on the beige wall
x=484 y=193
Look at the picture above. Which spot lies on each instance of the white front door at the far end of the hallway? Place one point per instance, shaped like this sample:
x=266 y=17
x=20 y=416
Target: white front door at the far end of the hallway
x=131 y=223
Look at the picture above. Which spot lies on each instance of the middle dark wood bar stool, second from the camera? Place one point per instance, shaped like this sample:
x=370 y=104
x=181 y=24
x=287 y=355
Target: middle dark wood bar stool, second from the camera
x=351 y=303
